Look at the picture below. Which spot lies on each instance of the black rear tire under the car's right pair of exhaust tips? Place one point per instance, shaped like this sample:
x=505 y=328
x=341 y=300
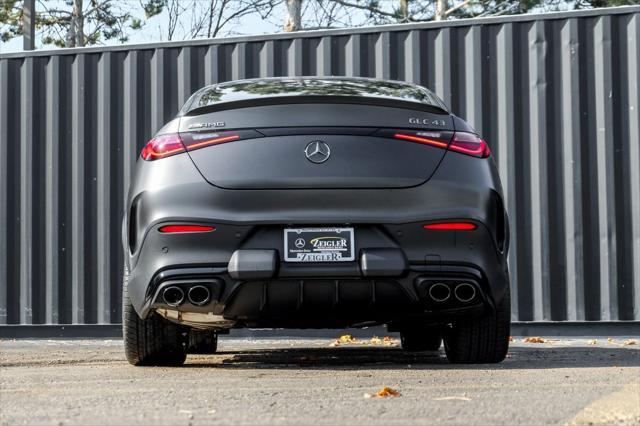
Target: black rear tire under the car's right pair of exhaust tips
x=480 y=340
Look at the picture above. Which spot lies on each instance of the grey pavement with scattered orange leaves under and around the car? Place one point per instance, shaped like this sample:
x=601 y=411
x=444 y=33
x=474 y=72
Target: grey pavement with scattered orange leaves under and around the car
x=280 y=381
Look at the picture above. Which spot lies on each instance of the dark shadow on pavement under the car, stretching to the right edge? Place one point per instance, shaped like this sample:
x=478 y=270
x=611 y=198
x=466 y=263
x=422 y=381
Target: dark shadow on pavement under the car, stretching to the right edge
x=391 y=358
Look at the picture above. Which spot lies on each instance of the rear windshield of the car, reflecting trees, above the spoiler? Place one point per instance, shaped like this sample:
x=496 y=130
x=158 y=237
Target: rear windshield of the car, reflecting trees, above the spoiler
x=274 y=88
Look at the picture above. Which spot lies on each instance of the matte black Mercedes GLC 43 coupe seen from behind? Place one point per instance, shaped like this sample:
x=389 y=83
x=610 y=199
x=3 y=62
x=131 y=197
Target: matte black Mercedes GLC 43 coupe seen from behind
x=315 y=203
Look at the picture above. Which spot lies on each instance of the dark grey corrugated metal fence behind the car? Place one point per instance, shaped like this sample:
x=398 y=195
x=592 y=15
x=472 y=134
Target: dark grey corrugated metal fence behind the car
x=557 y=97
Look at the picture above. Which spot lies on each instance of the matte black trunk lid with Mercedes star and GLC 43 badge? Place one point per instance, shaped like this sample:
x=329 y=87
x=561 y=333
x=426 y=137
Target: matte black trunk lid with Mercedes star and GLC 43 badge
x=314 y=146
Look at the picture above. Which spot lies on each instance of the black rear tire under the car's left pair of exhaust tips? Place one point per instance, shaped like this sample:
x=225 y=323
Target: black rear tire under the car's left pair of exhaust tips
x=152 y=341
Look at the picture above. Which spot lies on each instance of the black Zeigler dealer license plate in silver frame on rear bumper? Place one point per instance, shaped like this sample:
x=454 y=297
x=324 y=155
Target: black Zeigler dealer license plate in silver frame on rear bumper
x=319 y=245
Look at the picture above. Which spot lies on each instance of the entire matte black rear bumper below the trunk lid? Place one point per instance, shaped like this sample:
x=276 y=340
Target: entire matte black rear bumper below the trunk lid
x=325 y=295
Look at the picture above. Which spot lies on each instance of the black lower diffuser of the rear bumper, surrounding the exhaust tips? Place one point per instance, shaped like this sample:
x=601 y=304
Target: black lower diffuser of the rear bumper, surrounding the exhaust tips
x=327 y=302
